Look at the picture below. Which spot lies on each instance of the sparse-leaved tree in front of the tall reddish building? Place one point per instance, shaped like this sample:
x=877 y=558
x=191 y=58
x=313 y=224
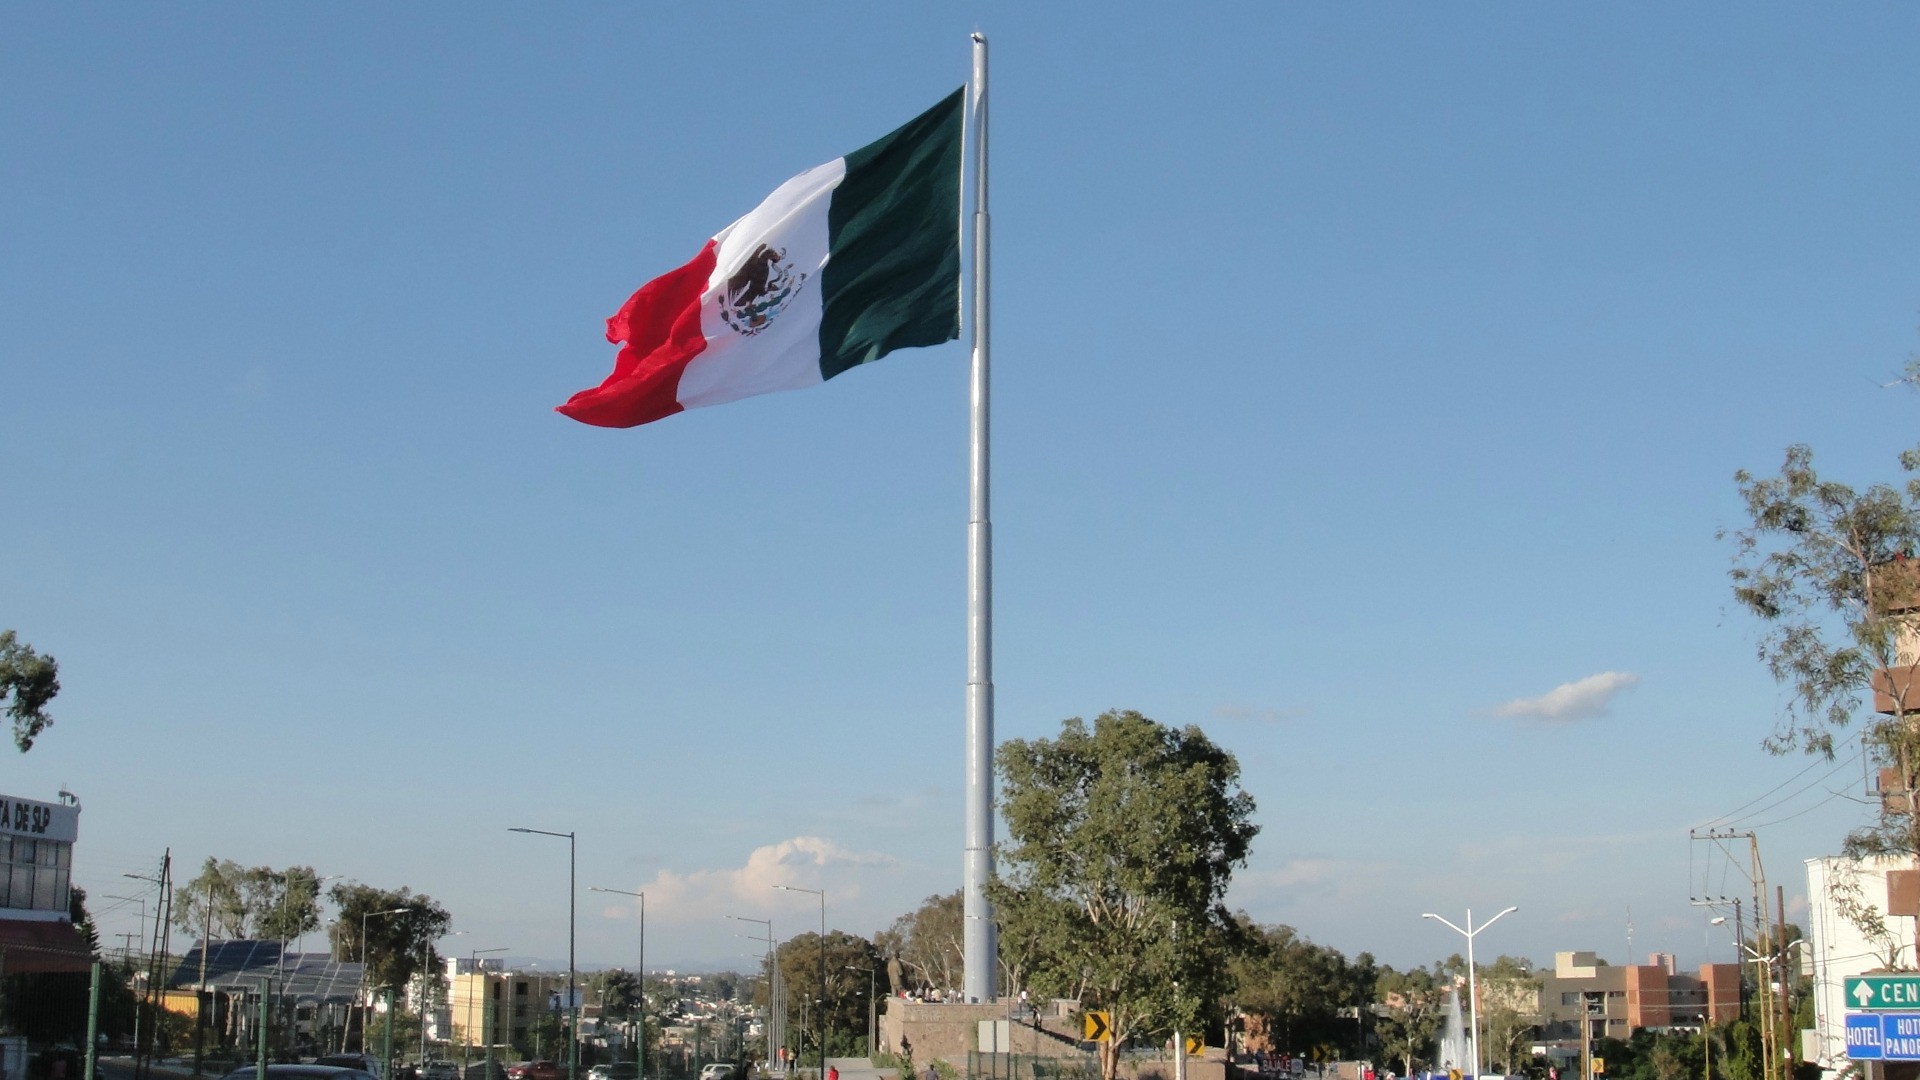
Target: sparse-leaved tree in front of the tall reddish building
x=1833 y=577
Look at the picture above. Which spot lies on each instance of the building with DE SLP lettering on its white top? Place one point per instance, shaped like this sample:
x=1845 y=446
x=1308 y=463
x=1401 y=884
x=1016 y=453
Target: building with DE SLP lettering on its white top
x=37 y=933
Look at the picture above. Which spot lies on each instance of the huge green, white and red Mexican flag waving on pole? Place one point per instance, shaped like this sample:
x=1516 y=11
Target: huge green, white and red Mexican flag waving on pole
x=840 y=266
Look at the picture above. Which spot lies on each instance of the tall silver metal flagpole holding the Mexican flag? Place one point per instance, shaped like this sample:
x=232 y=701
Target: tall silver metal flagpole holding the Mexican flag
x=980 y=946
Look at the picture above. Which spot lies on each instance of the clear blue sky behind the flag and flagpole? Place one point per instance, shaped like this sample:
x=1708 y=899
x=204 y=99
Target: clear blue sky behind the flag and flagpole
x=1360 y=372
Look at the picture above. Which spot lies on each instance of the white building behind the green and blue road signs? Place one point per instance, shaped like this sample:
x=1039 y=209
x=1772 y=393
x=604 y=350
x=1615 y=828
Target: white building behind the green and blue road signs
x=1838 y=946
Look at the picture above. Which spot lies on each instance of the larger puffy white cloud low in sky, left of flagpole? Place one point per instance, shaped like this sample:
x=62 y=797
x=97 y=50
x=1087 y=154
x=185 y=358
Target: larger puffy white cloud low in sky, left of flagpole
x=750 y=889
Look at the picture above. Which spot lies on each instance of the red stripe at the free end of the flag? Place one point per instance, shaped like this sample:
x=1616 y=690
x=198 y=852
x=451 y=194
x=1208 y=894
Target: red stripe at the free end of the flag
x=661 y=328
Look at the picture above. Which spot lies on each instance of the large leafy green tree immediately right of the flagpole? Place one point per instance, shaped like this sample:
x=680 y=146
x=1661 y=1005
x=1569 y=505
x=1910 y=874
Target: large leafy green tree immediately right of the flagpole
x=1122 y=841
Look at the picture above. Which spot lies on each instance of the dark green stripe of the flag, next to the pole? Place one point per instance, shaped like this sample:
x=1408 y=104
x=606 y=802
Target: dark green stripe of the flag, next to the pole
x=894 y=239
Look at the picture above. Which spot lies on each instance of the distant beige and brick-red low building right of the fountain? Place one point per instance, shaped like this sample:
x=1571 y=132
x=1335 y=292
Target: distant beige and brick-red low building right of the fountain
x=1587 y=996
